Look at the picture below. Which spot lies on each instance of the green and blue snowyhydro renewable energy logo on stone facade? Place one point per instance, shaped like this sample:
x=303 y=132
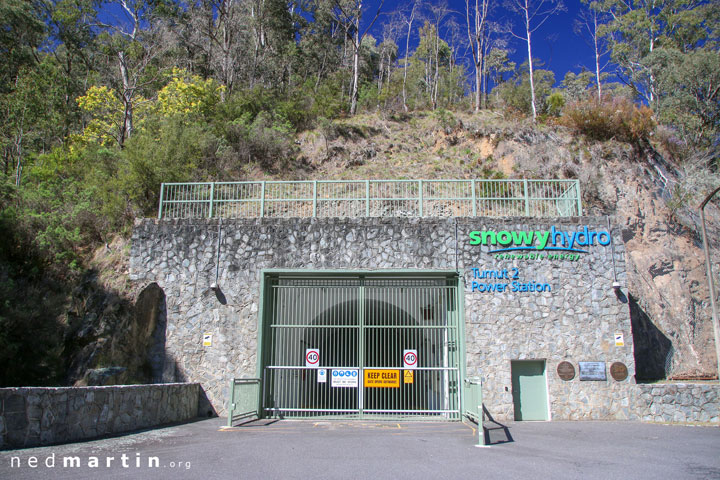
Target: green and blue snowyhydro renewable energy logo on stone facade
x=552 y=239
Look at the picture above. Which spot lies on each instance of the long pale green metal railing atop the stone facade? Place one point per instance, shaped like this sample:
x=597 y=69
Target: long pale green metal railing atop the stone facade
x=371 y=198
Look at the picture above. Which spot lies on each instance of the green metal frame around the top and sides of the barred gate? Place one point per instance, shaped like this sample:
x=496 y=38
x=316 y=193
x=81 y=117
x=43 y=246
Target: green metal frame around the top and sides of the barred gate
x=266 y=274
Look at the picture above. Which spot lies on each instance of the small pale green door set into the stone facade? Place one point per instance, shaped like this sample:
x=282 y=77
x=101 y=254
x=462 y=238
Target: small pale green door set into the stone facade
x=529 y=390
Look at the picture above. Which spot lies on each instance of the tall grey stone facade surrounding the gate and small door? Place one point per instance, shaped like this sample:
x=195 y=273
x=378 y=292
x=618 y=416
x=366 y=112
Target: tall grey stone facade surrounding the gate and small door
x=575 y=320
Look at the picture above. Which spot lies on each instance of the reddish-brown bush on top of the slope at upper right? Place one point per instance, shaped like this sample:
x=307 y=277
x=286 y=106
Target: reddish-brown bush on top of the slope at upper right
x=614 y=118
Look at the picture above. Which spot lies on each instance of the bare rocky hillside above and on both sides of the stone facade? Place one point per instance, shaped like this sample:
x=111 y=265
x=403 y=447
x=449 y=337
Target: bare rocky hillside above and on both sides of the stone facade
x=642 y=190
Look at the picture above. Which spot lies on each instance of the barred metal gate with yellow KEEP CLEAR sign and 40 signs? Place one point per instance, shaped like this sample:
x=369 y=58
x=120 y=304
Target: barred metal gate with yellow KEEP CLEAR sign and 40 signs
x=345 y=347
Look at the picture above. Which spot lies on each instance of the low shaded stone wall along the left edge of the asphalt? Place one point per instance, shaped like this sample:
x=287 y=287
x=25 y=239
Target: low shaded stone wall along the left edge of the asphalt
x=32 y=416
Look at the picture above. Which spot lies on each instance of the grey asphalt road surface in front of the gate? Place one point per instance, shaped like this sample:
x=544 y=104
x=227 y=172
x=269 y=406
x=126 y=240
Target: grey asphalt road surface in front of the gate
x=342 y=449
